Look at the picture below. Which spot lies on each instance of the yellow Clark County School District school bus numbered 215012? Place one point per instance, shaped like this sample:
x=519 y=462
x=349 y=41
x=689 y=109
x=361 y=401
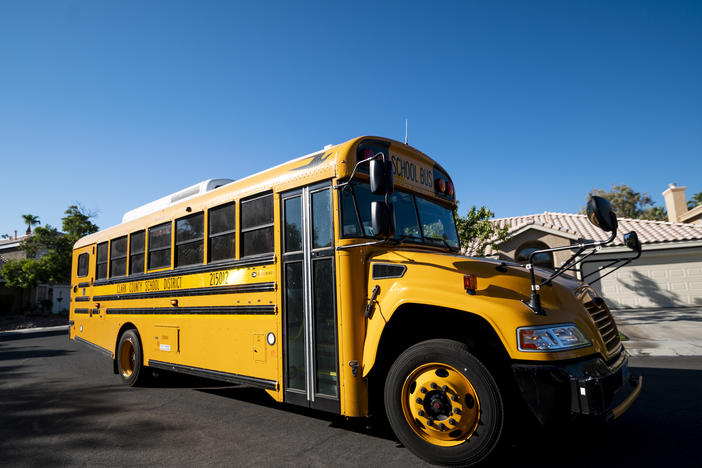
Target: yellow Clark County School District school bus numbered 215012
x=334 y=281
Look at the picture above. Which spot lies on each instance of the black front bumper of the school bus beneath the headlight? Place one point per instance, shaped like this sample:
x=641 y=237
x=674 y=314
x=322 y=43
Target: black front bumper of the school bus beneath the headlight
x=593 y=388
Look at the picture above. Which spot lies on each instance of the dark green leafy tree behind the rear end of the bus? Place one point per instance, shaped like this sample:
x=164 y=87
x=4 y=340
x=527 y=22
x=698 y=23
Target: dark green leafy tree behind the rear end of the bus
x=49 y=252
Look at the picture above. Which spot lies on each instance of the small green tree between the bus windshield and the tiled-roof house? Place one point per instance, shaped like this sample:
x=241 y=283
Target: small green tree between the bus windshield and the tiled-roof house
x=476 y=233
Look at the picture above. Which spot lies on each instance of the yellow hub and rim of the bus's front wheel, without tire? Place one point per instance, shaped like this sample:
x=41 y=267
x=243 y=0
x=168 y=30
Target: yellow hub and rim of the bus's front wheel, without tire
x=440 y=404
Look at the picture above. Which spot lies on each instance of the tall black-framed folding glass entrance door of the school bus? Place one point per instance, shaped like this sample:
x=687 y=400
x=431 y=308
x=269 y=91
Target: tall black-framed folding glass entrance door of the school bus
x=309 y=306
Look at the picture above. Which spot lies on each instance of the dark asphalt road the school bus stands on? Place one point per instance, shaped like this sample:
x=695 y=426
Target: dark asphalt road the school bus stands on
x=60 y=404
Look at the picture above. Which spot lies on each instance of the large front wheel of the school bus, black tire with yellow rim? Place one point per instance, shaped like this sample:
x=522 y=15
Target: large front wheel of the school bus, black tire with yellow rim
x=430 y=377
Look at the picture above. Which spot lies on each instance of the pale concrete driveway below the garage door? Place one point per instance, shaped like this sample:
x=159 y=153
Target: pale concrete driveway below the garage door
x=661 y=332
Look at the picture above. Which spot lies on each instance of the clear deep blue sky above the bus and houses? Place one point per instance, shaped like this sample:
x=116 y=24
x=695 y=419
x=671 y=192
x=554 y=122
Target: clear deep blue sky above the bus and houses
x=529 y=105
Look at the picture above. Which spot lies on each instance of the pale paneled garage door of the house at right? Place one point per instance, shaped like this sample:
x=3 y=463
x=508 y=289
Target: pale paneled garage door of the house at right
x=660 y=278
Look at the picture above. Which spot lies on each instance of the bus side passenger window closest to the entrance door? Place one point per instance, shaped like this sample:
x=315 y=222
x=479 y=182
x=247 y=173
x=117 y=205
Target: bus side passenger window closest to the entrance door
x=257 y=225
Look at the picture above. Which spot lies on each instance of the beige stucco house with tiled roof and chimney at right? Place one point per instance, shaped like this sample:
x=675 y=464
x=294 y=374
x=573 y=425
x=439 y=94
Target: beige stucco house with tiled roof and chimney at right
x=668 y=273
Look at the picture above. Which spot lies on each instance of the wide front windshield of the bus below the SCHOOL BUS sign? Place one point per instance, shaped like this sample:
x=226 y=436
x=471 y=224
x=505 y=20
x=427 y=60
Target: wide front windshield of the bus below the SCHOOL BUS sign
x=416 y=219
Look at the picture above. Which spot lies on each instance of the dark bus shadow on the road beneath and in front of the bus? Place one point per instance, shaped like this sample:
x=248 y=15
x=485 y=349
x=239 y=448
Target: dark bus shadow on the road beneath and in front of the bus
x=661 y=428
